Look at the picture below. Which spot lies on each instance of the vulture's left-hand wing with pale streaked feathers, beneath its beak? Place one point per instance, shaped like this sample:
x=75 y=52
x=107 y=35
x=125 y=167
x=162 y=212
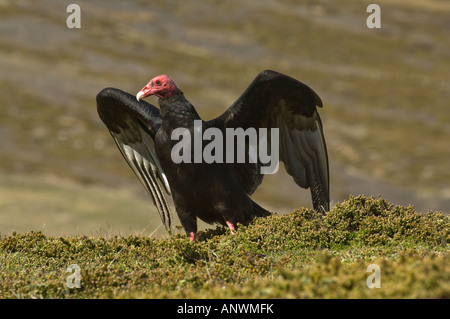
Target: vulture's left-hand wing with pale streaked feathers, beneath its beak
x=133 y=126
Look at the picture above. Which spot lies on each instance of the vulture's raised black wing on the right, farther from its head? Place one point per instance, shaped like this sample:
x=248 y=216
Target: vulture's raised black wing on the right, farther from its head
x=274 y=100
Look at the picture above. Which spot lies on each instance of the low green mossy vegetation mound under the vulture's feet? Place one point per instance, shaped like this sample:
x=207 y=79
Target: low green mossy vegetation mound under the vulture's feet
x=298 y=255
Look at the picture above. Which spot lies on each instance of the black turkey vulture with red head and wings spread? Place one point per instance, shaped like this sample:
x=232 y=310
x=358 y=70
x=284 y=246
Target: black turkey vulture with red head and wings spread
x=218 y=191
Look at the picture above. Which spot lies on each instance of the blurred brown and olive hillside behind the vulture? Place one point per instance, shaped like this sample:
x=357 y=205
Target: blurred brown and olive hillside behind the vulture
x=385 y=92
